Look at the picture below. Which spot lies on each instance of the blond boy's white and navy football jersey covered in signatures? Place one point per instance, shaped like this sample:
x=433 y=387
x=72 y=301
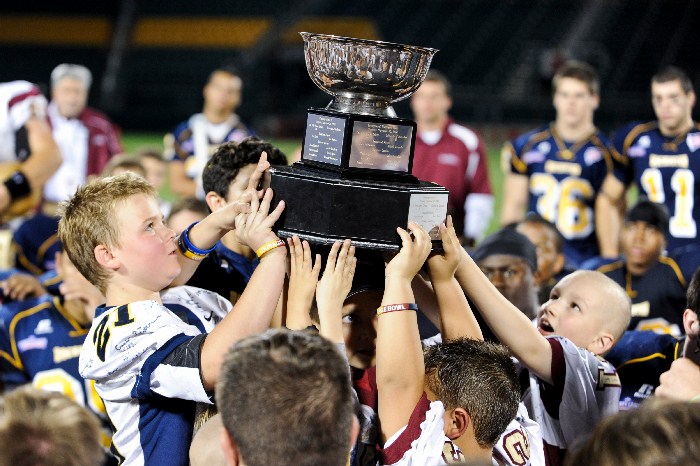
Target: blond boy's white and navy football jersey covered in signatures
x=144 y=357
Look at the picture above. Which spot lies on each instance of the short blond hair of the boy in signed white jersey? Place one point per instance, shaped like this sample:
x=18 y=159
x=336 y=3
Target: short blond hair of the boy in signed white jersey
x=88 y=219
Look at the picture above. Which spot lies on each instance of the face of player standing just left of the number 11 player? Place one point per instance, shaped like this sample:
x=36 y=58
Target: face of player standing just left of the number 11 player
x=574 y=102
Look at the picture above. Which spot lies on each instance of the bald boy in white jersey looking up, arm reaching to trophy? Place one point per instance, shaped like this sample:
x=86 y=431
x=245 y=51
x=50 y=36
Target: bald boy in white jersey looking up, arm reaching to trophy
x=570 y=388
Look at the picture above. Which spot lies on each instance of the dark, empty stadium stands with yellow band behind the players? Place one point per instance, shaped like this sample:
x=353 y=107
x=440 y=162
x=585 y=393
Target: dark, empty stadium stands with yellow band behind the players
x=490 y=50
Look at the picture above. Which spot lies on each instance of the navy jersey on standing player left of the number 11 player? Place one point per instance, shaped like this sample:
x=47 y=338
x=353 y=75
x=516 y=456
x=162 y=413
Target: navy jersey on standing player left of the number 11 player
x=564 y=179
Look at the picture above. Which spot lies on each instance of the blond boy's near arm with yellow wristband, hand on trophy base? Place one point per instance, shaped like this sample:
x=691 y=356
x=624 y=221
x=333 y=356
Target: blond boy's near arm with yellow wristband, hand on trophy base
x=253 y=311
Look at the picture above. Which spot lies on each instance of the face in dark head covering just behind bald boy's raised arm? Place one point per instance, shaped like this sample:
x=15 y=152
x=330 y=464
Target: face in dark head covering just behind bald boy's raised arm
x=514 y=280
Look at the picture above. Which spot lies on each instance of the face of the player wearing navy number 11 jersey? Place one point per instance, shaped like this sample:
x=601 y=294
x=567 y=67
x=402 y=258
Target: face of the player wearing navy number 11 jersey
x=672 y=106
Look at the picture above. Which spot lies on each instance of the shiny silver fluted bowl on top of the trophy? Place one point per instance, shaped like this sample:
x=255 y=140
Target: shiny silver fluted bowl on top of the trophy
x=365 y=76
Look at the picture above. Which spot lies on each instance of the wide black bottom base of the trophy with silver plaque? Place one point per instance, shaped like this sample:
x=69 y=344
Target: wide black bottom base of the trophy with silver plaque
x=323 y=208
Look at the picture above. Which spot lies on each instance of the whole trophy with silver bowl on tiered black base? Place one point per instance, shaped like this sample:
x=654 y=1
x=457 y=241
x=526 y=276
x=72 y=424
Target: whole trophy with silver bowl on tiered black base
x=354 y=178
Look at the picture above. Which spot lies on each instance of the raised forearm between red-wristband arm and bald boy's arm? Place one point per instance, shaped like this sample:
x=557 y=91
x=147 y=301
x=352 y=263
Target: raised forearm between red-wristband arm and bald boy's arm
x=456 y=317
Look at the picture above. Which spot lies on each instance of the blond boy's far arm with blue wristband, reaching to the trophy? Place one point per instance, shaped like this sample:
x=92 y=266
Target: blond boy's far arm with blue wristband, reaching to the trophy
x=205 y=234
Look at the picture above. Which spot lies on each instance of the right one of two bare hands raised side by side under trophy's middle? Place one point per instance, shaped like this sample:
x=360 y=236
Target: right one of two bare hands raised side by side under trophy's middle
x=333 y=288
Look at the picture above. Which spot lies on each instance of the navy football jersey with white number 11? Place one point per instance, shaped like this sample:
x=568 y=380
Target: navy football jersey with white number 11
x=667 y=171
